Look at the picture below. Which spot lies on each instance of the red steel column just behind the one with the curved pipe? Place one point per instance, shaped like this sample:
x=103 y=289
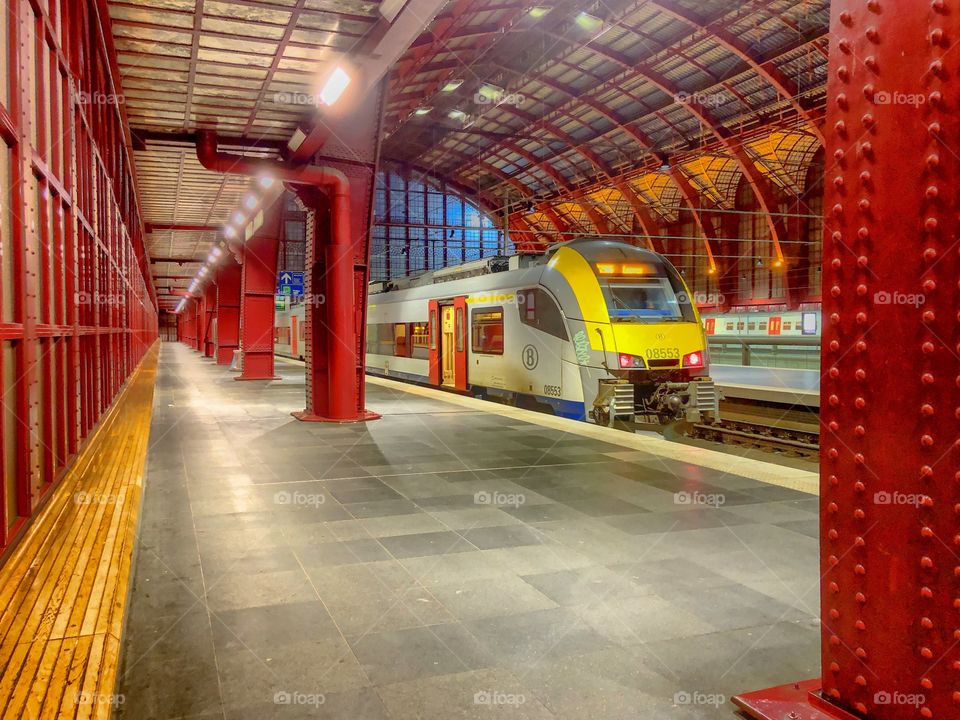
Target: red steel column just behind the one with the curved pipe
x=258 y=291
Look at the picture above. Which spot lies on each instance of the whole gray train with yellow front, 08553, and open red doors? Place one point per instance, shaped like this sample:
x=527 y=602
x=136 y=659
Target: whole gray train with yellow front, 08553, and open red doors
x=596 y=330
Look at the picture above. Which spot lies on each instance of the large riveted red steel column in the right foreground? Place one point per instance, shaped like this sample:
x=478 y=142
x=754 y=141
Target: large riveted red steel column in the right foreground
x=890 y=486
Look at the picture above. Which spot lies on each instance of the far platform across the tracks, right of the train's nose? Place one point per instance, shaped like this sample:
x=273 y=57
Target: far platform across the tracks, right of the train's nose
x=786 y=386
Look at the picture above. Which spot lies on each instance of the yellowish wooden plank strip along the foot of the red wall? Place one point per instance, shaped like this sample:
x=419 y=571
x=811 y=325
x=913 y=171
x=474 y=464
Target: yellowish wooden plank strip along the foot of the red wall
x=63 y=591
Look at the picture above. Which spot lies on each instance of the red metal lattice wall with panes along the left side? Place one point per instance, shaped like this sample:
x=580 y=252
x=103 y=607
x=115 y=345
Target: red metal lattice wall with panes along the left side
x=77 y=311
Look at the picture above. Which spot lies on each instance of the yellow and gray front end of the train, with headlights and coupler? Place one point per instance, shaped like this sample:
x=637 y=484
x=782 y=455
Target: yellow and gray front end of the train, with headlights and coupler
x=637 y=336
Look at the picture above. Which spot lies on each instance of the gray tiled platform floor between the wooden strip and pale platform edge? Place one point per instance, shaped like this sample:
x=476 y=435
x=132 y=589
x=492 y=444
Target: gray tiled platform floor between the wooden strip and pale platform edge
x=354 y=565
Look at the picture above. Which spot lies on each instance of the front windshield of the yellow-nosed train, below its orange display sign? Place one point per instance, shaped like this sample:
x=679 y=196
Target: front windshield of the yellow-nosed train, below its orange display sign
x=650 y=299
